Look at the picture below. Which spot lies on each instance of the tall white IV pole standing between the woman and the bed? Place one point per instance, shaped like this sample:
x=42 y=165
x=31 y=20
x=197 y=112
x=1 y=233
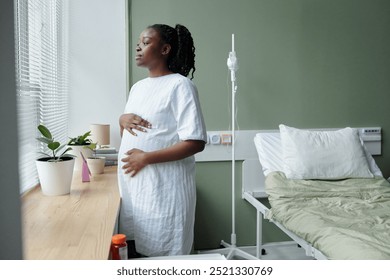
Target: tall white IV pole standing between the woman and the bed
x=232 y=250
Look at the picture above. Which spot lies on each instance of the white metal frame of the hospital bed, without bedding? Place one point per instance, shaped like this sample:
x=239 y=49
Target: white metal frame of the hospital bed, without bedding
x=253 y=188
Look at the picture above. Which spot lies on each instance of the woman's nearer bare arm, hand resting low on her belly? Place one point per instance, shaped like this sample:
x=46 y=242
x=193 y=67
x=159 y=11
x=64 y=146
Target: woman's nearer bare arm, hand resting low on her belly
x=137 y=159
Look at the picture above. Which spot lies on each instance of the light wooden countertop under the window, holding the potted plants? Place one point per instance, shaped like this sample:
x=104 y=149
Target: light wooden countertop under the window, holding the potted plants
x=76 y=226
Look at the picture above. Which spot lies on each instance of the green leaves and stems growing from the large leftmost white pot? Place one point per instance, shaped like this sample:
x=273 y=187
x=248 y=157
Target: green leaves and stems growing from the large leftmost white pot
x=54 y=146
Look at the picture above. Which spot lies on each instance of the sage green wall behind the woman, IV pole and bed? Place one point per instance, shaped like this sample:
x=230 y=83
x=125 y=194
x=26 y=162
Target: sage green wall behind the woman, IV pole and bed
x=305 y=63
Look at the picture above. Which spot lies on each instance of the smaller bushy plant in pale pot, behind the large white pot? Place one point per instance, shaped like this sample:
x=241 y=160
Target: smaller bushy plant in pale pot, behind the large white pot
x=83 y=144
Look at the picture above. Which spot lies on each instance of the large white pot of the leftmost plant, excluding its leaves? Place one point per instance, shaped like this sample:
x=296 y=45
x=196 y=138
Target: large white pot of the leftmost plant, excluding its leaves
x=55 y=177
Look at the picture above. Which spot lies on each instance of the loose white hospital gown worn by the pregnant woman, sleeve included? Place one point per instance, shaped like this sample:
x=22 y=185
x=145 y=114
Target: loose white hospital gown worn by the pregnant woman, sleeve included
x=158 y=204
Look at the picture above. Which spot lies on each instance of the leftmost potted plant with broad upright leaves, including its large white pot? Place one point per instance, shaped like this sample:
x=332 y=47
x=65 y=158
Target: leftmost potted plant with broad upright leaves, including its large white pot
x=55 y=170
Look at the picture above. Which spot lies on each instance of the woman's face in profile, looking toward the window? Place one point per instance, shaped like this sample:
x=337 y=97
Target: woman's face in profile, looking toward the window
x=150 y=51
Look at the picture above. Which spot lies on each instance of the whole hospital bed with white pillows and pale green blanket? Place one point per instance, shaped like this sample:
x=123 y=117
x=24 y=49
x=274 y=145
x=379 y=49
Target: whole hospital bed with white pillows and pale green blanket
x=346 y=216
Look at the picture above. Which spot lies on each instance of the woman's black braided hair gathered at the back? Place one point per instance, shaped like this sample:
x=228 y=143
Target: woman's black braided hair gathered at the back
x=181 y=58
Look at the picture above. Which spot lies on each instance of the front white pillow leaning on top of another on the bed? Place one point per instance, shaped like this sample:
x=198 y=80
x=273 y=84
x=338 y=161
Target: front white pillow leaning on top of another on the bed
x=327 y=155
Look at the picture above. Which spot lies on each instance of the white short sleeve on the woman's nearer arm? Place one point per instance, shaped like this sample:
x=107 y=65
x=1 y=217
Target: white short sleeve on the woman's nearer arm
x=186 y=108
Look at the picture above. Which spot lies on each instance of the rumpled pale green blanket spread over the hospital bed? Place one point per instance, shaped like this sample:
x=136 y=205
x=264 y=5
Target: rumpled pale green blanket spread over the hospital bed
x=344 y=219
